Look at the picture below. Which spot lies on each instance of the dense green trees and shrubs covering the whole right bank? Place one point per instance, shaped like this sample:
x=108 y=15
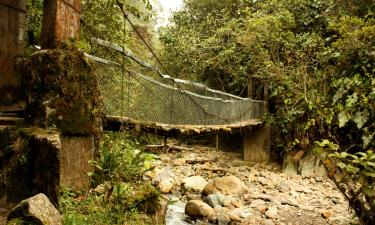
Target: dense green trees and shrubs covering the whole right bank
x=319 y=56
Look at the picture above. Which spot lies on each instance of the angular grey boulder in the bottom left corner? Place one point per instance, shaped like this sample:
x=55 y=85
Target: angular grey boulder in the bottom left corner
x=36 y=210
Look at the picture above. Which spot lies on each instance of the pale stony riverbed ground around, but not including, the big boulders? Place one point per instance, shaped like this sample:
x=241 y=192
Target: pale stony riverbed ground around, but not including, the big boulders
x=273 y=197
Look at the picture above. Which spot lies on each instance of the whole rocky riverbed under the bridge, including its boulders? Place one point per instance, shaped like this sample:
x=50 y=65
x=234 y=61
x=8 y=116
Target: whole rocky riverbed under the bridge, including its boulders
x=205 y=186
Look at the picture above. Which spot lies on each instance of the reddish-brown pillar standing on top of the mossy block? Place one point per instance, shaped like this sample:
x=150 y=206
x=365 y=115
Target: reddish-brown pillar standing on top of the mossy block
x=61 y=22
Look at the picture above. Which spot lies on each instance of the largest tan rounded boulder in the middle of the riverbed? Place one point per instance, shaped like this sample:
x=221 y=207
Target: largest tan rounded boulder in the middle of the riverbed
x=229 y=185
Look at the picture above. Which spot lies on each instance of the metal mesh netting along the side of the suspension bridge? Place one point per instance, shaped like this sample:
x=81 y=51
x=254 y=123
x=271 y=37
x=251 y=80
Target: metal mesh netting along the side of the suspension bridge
x=136 y=96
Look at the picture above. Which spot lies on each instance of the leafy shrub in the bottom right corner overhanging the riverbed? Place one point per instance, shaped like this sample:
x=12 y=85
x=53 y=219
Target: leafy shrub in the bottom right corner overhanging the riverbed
x=355 y=175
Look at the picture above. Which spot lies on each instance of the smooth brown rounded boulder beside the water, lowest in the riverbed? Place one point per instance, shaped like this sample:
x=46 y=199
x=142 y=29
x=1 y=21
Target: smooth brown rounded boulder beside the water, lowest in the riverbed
x=197 y=208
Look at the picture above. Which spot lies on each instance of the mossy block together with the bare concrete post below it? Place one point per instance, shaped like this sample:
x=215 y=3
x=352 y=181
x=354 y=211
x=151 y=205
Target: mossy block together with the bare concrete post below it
x=63 y=93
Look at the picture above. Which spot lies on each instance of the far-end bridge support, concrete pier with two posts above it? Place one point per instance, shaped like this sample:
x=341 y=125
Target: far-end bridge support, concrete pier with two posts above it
x=256 y=140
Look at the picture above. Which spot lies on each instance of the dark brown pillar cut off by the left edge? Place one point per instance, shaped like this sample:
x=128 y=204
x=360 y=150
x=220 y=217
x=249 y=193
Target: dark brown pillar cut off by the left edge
x=12 y=44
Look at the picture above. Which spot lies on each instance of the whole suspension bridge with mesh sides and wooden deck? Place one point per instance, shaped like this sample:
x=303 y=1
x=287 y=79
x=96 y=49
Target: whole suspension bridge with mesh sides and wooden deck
x=163 y=103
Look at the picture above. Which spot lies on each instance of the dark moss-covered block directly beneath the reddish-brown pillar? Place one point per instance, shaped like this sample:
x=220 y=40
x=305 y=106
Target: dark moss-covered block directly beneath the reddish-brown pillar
x=63 y=92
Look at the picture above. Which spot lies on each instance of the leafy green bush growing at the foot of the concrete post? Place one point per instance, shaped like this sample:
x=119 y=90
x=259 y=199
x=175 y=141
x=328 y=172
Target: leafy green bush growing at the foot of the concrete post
x=120 y=195
